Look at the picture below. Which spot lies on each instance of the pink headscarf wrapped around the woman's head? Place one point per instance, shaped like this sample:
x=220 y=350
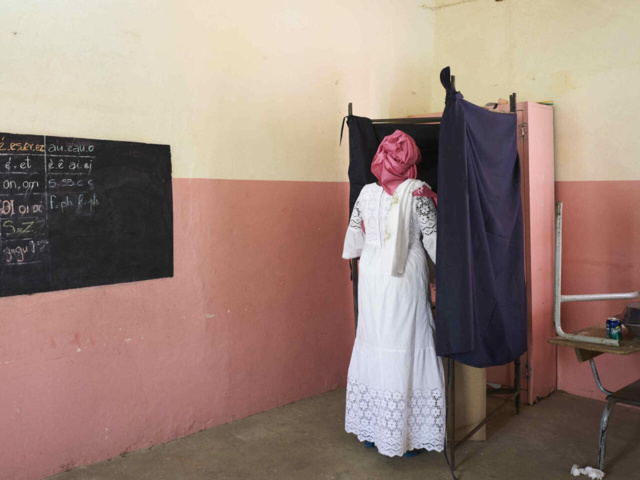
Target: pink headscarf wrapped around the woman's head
x=396 y=160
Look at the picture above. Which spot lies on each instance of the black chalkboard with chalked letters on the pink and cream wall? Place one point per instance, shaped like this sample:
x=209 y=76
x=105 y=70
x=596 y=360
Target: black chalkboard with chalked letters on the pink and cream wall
x=77 y=212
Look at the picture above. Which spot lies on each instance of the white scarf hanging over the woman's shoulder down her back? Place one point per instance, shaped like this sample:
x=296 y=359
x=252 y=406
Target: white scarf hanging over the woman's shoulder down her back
x=395 y=246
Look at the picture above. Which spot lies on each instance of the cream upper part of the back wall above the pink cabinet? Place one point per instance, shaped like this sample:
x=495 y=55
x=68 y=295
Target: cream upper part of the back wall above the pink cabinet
x=581 y=53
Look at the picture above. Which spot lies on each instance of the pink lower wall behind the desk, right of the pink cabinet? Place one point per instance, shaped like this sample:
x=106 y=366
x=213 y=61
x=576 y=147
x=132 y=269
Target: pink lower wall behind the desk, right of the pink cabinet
x=601 y=254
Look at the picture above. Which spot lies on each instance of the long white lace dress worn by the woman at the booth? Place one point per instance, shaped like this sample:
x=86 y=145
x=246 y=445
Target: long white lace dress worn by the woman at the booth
x=395 y=387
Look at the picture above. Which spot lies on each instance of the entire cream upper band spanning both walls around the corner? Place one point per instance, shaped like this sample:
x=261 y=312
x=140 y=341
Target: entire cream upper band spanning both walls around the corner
x=257 y=90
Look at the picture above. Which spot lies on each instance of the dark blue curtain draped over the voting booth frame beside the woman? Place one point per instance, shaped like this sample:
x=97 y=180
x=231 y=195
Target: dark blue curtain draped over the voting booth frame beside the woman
x=481 y=310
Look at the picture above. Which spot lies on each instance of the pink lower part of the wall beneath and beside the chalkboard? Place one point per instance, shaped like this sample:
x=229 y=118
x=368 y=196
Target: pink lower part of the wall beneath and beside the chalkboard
x=259 y=314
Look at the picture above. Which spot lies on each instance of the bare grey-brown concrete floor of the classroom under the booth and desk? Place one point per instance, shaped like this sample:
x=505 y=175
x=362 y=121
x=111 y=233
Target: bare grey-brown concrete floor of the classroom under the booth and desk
x=306 y=440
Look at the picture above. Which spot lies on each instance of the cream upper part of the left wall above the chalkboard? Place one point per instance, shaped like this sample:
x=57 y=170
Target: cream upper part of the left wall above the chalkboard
x=240 y=90
